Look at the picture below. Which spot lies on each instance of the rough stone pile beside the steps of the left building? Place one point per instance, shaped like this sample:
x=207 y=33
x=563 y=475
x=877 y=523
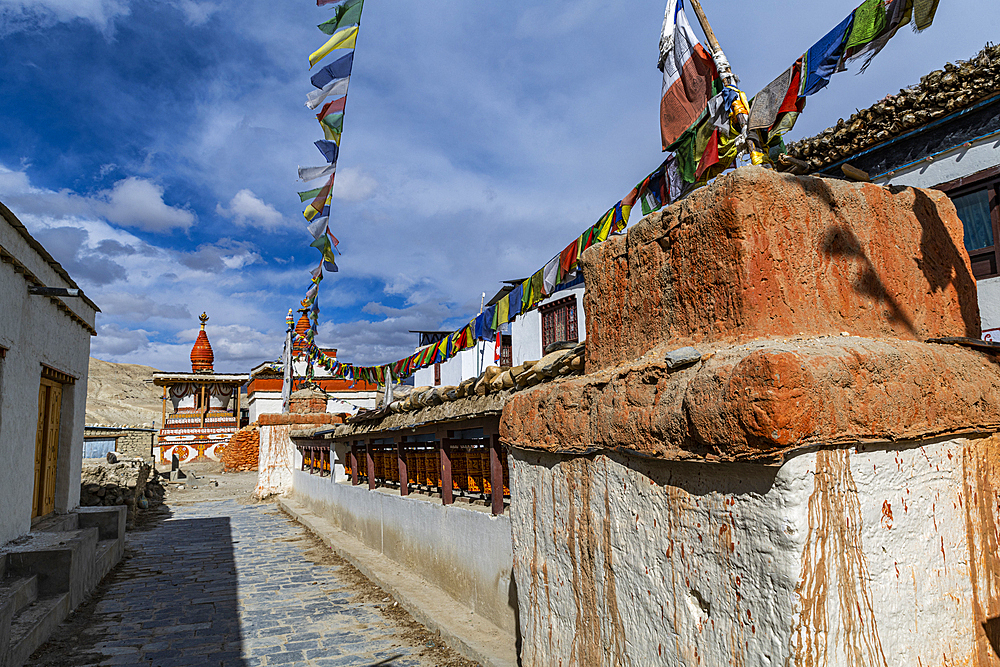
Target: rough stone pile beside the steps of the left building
x=126 y=482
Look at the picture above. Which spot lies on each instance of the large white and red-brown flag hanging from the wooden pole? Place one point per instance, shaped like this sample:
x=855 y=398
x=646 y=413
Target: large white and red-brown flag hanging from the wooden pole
x=689 y=75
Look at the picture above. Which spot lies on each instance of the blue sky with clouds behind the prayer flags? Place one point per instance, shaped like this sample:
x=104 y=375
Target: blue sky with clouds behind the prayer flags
x=152 y=147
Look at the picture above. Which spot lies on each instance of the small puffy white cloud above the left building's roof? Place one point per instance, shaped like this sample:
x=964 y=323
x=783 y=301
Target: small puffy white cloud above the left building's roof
x=136 y=202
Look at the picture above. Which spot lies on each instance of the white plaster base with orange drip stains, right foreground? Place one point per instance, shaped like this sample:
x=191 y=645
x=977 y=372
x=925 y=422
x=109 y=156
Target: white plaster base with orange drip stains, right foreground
x=839 y=558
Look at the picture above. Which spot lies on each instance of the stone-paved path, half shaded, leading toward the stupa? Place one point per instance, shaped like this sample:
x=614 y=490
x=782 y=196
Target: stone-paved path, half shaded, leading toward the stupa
x=223 y=583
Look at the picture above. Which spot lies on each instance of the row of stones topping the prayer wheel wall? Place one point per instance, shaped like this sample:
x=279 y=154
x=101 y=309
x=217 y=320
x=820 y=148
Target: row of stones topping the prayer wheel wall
x=494 y=379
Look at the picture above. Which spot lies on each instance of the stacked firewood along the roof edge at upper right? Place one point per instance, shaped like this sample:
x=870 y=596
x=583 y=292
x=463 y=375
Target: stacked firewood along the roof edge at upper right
x=938 y=94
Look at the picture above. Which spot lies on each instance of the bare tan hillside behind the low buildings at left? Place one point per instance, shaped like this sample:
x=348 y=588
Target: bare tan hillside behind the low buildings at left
x=120 y=394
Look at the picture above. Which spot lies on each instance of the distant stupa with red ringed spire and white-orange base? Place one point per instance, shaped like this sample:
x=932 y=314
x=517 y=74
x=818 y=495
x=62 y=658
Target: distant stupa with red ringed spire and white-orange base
x=204 y=407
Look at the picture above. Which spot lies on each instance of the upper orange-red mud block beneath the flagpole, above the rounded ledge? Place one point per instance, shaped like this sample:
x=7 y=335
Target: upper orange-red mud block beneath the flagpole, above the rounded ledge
x=761 y=254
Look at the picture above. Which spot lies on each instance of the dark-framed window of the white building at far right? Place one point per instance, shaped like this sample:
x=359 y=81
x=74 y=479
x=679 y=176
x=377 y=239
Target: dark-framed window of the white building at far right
x=976 y=201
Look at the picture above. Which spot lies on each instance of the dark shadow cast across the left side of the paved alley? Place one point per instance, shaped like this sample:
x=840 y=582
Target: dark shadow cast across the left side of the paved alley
x=173 y=600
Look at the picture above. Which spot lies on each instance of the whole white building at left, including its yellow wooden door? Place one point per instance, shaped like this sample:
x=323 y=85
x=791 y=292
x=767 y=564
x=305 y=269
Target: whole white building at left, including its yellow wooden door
x=44 y=355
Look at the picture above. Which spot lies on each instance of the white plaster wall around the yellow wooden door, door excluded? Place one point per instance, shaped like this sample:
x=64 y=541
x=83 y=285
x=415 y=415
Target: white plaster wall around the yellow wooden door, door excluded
x=36 y=332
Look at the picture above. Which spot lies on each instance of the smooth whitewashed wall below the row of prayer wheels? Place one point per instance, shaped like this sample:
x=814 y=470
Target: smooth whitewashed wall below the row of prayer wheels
x=465 y=552
